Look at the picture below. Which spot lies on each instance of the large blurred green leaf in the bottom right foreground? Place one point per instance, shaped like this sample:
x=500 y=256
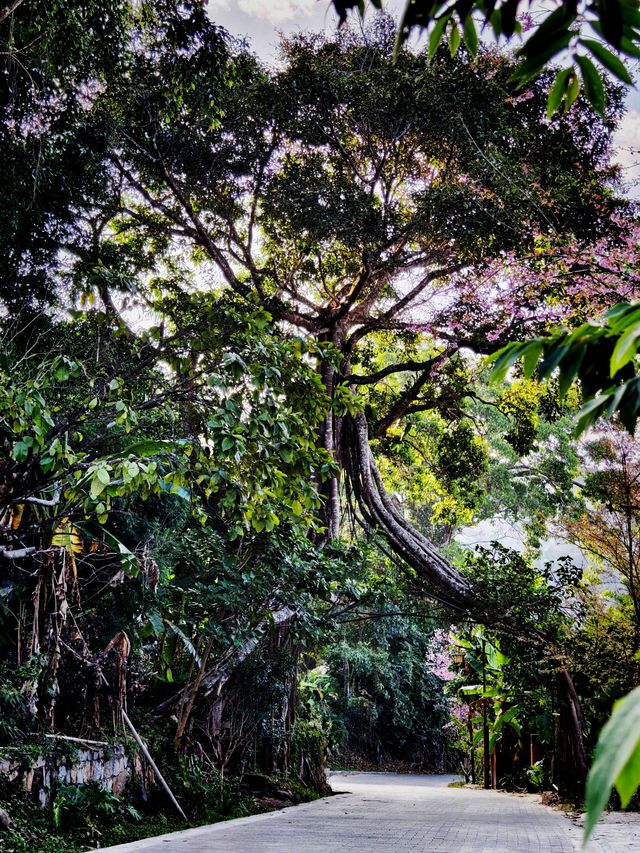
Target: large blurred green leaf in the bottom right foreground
x=615 y=758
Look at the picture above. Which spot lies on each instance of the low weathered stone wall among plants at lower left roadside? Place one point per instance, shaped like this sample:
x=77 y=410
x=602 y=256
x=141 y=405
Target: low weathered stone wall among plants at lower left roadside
x=73 y=764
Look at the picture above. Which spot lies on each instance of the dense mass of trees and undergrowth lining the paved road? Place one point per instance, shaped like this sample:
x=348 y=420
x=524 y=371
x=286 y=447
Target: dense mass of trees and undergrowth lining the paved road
x=245 y=412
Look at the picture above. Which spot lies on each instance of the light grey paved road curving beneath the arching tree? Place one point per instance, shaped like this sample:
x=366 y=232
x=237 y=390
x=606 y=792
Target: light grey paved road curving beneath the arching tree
x=390 y=813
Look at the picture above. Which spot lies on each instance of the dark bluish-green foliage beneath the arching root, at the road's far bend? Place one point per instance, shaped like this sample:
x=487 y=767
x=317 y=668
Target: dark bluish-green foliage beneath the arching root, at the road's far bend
x=385 y=703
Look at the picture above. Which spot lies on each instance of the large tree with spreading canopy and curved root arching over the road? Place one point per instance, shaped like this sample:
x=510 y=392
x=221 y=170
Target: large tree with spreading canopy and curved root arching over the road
x=342 y=202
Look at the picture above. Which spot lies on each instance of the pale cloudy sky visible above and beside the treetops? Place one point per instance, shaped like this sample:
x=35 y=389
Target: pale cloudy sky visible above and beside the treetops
x=261 y=21
